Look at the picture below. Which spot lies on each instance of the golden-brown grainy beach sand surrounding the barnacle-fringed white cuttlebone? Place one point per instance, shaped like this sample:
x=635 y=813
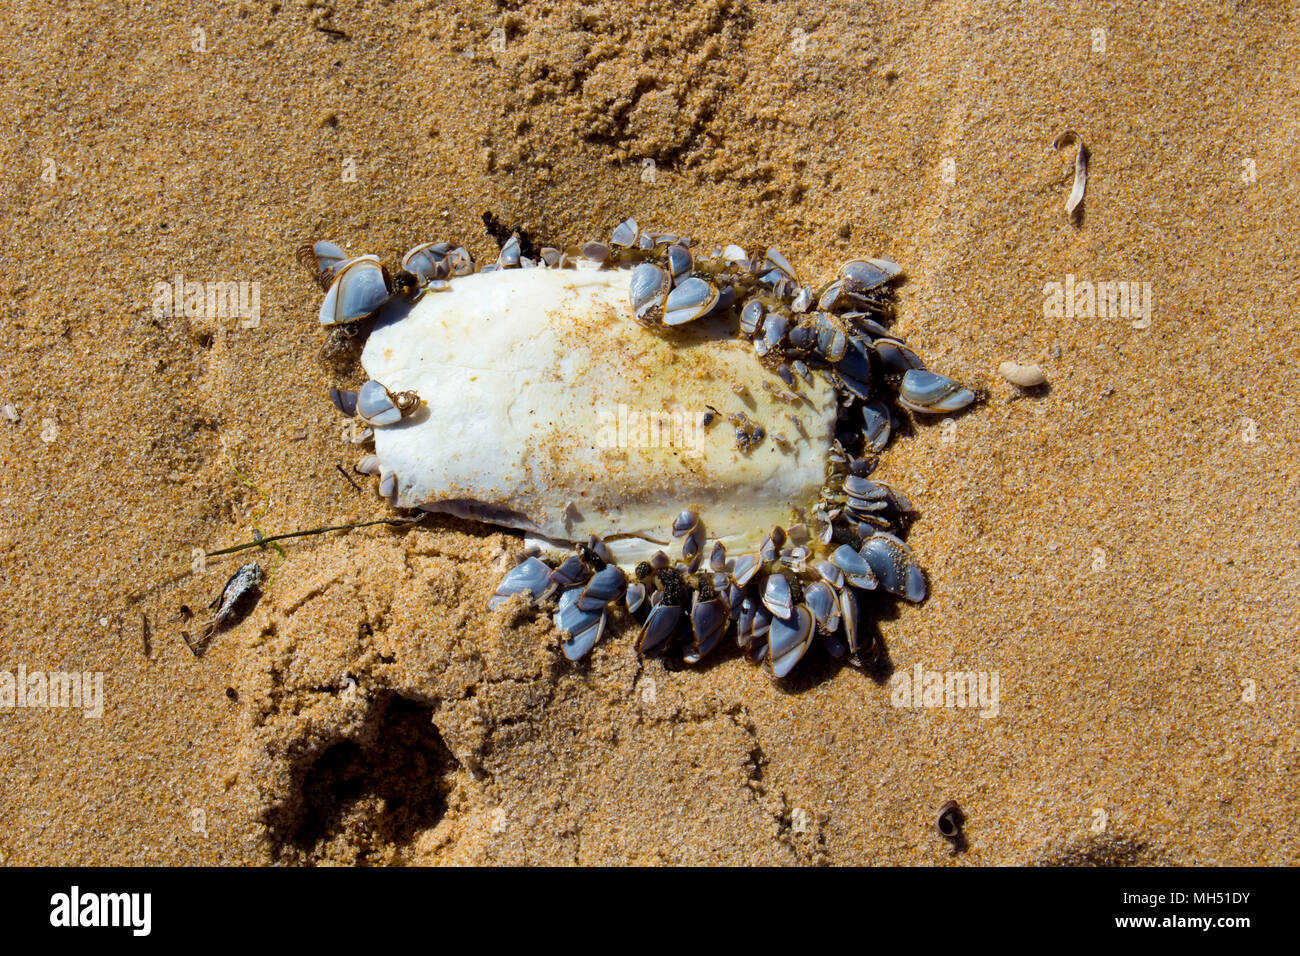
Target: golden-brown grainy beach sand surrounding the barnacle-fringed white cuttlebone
x=1121 y=550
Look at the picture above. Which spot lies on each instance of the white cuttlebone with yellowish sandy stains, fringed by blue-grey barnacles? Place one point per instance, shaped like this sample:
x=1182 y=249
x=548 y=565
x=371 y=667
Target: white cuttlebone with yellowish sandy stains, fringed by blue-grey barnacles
x=523 y=374
